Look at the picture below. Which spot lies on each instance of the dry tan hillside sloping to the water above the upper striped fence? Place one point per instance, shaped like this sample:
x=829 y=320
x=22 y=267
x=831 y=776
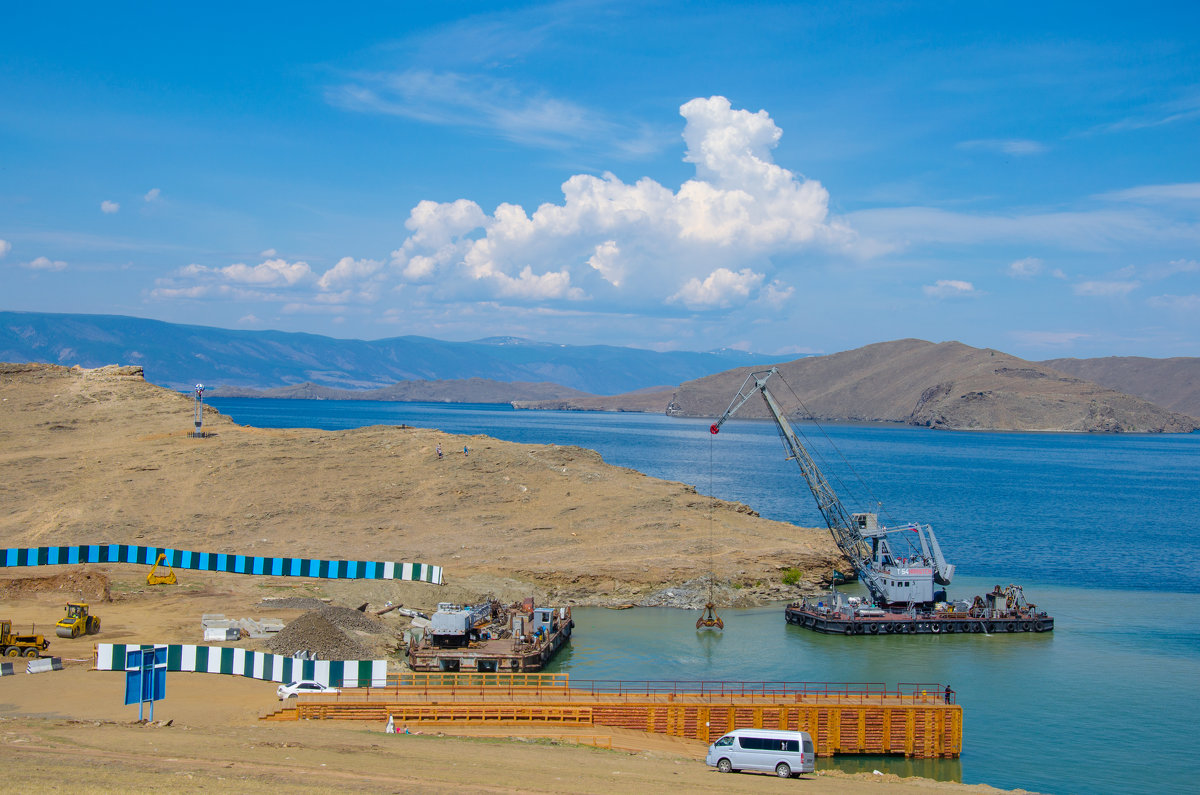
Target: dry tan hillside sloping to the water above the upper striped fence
x=101 y=456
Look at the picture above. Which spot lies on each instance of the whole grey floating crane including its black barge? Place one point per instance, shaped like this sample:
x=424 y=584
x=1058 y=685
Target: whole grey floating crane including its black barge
x=903 y=569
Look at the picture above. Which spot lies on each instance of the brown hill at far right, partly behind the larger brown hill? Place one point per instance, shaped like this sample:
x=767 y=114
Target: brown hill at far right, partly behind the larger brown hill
x=1172 y=384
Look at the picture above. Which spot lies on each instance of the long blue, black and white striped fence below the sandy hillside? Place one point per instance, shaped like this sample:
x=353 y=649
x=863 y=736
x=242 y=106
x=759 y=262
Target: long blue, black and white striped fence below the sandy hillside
x=183 y=559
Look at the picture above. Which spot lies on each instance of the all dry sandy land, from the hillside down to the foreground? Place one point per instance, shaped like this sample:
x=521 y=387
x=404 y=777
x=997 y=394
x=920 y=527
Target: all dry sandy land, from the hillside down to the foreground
x=98 y=457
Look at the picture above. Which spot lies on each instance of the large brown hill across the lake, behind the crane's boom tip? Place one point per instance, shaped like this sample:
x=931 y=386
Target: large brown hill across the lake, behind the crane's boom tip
x=947 y=385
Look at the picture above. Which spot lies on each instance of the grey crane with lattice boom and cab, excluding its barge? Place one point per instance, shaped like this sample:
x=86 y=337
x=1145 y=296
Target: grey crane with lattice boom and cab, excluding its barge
x=890 y=578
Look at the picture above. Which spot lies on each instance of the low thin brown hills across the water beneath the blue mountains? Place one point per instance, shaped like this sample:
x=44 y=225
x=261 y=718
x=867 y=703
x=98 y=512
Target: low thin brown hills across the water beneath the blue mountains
x=461 y=391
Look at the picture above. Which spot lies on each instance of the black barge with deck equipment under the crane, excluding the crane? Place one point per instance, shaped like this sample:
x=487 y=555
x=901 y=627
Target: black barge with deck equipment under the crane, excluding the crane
x=999 y=612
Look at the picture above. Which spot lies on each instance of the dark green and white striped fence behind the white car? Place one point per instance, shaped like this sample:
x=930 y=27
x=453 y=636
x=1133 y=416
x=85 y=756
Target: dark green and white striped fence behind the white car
x=253 y=665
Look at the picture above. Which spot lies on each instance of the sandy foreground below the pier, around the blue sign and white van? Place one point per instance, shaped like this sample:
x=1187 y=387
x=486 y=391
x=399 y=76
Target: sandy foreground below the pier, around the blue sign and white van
x=70 y=732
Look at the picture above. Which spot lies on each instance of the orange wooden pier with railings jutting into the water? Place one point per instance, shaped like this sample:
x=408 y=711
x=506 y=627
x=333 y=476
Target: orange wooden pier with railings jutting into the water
x=844 y=719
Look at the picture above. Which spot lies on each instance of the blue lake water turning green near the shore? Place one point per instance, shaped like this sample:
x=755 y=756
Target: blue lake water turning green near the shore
x=1102 y=531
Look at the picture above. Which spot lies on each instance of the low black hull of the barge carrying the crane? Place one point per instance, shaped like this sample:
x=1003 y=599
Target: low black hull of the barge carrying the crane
x=839 y=624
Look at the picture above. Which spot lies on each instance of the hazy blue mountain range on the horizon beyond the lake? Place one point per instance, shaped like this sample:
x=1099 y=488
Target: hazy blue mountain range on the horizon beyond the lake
x=183 y=356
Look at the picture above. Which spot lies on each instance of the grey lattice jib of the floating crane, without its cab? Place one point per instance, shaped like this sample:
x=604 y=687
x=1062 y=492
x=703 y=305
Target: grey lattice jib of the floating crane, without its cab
x=845 y=534
